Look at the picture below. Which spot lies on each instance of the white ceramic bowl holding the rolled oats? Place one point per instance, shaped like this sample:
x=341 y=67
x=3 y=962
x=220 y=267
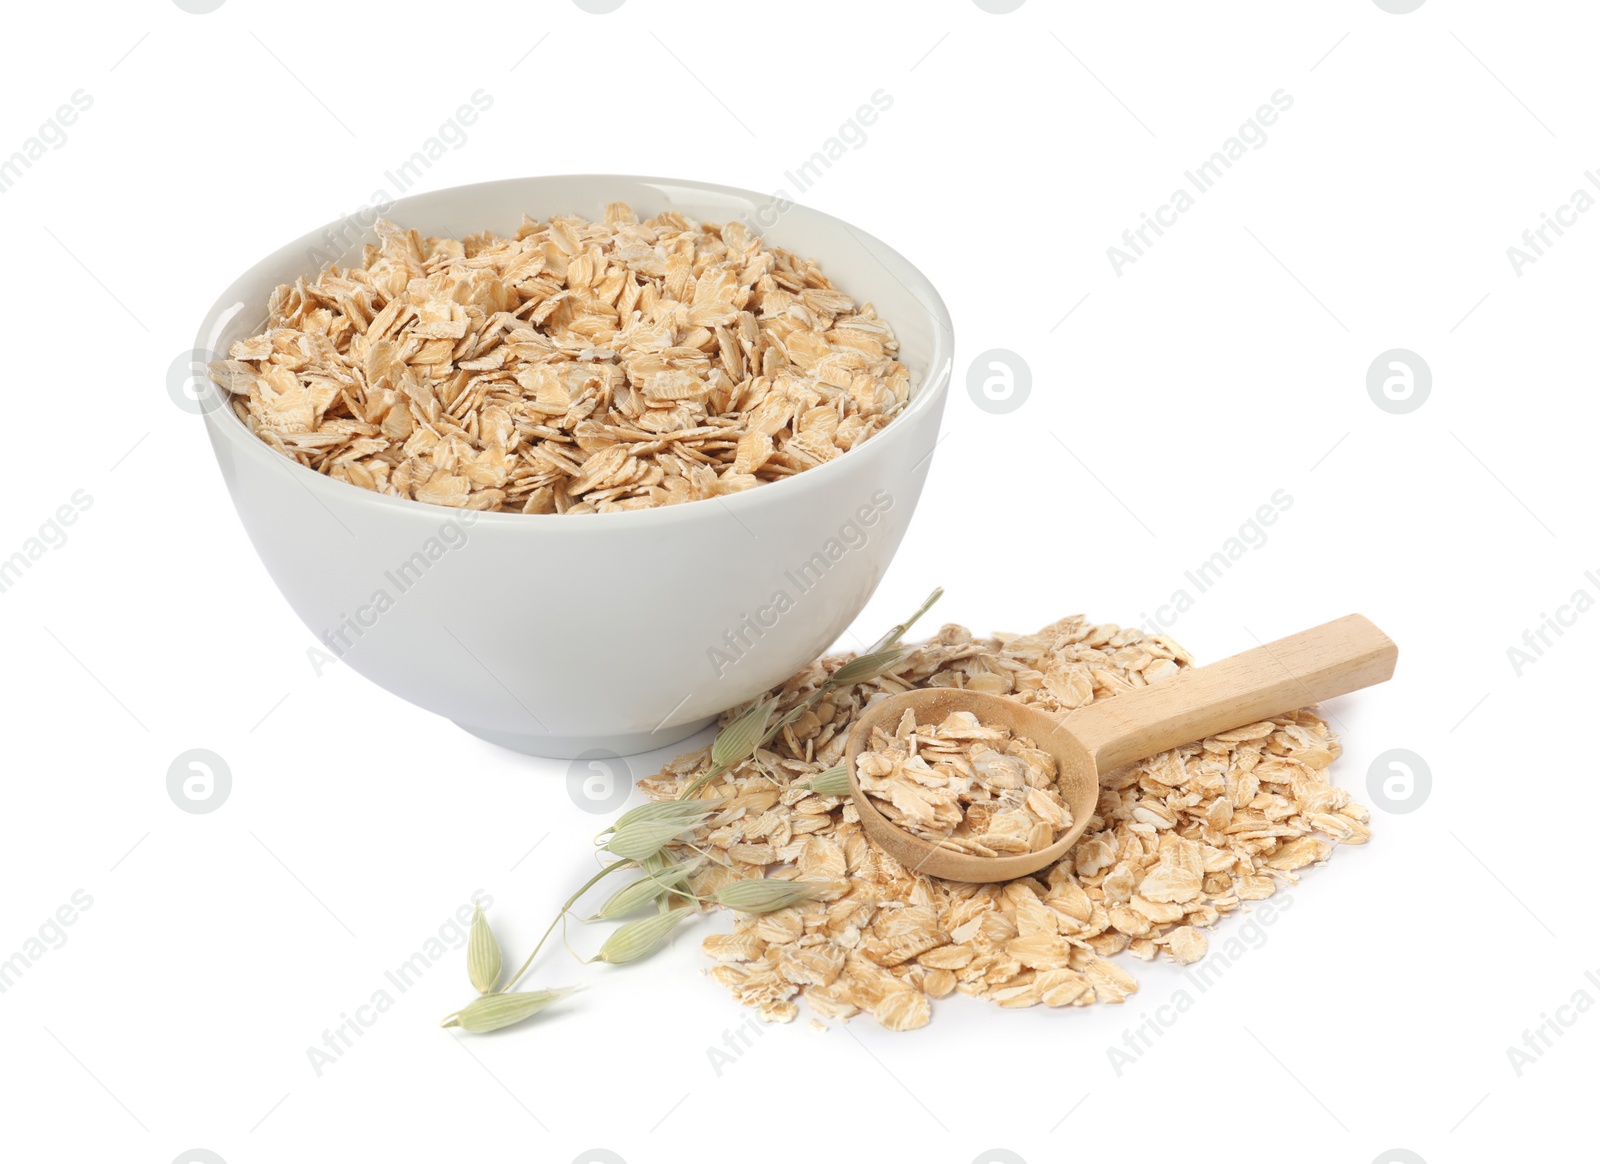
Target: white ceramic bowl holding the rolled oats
x=570 y=636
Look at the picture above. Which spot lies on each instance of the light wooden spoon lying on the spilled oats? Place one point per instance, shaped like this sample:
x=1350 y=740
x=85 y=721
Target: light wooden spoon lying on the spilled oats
x=1300 y=671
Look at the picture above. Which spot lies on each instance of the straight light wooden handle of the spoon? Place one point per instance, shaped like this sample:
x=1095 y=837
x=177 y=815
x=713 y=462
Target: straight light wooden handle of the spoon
x=1305 y=669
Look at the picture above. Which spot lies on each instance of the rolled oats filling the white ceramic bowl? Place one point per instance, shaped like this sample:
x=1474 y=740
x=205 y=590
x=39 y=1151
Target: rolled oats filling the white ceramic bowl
x=575 y=369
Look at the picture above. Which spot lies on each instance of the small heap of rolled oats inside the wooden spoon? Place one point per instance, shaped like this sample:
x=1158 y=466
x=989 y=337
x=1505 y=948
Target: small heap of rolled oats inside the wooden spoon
x=966 y=786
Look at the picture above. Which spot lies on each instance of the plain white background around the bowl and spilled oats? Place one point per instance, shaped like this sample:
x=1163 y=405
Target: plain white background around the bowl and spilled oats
x=1169 y=402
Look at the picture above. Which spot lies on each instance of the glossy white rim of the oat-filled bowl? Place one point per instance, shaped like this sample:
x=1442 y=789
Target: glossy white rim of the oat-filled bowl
x=222 y=421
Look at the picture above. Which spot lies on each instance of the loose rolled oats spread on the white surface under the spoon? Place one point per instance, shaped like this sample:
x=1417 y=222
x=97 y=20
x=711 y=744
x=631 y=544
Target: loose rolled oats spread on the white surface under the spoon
x=1178 y=843
